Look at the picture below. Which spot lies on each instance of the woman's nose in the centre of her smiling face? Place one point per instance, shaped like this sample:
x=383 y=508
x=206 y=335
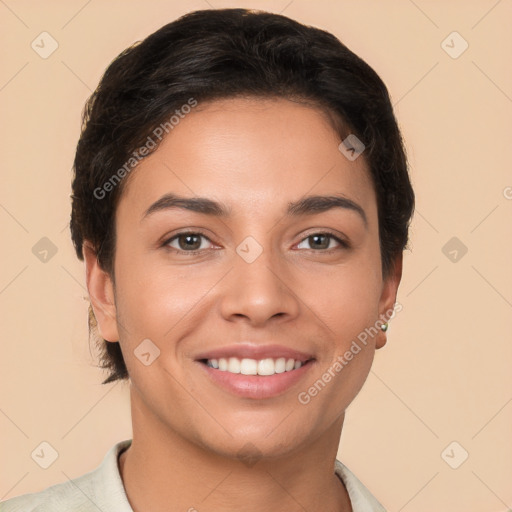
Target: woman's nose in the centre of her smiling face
x=258 y=291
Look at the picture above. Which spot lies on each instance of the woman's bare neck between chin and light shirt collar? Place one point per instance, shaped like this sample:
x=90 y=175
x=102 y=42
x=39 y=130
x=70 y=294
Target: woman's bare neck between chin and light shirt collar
x=162 y=471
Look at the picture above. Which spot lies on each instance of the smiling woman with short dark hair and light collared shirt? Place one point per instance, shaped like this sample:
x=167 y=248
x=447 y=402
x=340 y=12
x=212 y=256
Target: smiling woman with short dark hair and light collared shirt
x=241 y=201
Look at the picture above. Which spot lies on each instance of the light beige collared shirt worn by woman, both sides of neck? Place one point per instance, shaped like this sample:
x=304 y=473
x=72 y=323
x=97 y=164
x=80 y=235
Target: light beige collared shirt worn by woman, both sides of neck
x=102 y=490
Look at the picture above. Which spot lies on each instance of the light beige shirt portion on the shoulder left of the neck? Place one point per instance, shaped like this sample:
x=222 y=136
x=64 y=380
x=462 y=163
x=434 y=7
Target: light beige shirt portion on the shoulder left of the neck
x=101 y=488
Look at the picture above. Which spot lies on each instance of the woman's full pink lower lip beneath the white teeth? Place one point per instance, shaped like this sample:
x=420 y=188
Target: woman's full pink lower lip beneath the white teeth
x=256 y=386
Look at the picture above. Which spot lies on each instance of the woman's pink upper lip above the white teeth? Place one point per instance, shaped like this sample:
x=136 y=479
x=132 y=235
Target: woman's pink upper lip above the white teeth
x=248 y=351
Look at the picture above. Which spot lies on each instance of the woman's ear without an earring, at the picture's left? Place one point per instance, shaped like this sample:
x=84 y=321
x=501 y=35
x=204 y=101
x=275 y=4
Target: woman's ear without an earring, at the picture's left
x=101 y=294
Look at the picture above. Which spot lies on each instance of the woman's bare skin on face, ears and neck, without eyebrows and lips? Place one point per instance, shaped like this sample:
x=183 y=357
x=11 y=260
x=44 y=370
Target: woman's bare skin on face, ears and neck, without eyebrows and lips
x=255 y=156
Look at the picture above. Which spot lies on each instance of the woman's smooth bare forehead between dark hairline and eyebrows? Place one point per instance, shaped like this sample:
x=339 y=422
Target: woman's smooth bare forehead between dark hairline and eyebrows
x=249 y=153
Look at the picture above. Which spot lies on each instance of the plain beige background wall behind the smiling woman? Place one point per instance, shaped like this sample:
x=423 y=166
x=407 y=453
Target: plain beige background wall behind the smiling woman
x=445 y=374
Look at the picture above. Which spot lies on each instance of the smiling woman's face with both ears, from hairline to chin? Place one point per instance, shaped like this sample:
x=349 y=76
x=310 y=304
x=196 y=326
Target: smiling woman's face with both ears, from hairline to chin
x=252 y=289
